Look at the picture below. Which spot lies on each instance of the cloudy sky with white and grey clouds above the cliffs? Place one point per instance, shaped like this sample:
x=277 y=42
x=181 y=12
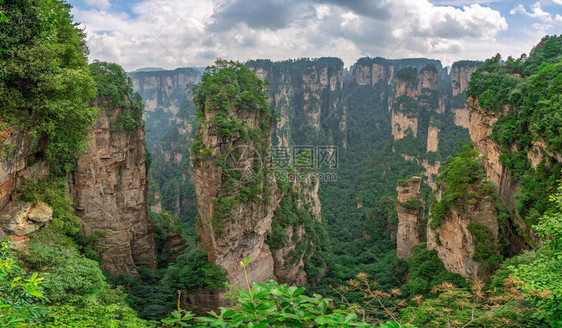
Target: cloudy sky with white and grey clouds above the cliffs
x=175 y=33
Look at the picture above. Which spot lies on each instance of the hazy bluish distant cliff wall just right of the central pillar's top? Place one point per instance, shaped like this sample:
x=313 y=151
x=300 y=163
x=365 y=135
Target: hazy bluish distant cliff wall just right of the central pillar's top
x=307 y=97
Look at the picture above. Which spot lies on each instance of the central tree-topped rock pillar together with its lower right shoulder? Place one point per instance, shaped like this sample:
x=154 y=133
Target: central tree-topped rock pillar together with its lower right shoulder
x=247 y=208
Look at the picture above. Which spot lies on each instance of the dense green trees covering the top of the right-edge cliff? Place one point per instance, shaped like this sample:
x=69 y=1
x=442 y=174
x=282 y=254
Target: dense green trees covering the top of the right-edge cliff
x=525 y=94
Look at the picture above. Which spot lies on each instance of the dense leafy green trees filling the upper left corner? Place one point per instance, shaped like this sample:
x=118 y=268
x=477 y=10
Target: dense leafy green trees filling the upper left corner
x=45 y=83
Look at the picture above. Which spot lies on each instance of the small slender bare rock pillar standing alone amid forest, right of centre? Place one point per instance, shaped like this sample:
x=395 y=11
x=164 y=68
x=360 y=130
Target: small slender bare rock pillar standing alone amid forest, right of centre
x=410 y=209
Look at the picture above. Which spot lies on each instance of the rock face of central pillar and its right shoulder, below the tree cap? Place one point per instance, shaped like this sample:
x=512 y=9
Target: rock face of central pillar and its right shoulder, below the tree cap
x=239 y=199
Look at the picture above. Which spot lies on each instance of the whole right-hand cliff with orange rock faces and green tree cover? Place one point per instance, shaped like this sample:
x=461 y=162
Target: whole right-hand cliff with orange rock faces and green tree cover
x=481 y=217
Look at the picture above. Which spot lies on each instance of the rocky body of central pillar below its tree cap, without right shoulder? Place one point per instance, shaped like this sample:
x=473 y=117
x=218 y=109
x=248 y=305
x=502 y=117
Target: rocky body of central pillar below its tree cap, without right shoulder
x=232 y=229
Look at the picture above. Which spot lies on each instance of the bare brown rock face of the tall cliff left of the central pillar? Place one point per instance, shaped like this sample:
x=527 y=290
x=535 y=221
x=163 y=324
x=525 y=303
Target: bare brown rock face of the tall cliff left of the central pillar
x=109 y=192
